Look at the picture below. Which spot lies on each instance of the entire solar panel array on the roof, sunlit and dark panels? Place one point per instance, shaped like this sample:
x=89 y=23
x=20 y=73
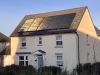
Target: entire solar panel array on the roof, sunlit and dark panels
x=51 y=22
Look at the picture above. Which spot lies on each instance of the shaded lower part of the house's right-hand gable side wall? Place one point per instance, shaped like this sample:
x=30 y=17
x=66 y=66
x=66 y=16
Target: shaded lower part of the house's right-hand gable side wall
x=89 y=48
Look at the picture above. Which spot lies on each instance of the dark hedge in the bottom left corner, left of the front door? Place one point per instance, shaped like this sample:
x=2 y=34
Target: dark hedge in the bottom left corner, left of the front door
x=17 y=70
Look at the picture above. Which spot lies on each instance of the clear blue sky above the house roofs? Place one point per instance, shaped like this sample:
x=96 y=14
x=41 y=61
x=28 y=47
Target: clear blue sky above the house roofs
x=13 y=11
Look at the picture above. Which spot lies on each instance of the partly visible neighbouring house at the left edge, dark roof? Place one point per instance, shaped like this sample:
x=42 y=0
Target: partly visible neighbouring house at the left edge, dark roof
x=4 y=47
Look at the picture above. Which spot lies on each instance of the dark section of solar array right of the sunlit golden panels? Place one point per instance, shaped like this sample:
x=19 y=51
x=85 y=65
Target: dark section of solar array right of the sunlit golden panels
x=57 y=22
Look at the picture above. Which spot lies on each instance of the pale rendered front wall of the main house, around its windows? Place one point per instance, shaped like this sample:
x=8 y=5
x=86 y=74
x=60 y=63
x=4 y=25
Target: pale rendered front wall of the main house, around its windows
x=69 y=50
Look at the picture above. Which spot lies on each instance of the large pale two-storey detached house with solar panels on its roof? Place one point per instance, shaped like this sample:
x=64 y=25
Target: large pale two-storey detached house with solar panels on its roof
x=61 y=38
